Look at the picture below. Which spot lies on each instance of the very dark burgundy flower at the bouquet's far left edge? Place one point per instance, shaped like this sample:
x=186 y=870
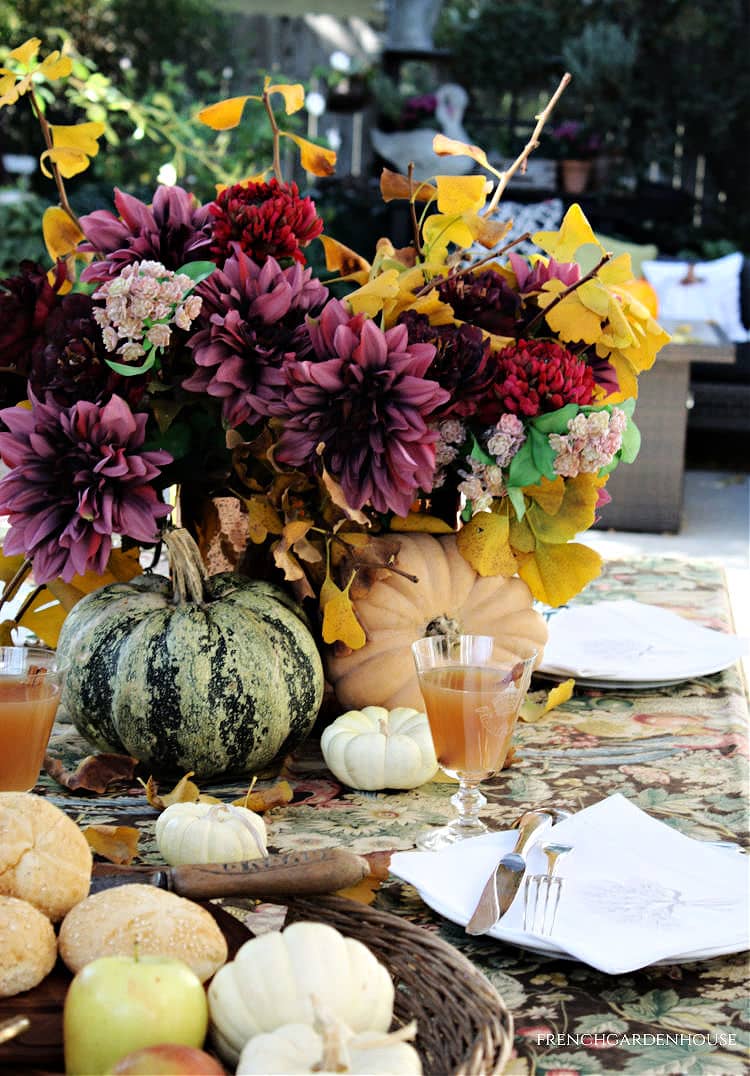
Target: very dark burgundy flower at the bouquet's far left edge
x=26 y=304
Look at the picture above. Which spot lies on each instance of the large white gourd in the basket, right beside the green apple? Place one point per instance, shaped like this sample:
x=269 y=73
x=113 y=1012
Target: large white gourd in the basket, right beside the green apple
x=282 y=978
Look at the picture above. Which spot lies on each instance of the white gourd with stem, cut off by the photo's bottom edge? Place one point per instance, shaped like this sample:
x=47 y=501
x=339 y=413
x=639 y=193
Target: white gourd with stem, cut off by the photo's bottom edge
x=330 y=1049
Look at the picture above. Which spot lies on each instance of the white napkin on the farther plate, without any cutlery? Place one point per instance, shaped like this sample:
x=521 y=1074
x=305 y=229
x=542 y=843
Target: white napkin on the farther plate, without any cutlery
x=629 y=641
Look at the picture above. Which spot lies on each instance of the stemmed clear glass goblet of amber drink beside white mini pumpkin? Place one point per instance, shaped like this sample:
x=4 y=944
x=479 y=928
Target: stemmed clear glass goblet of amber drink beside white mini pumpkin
x=473 y=702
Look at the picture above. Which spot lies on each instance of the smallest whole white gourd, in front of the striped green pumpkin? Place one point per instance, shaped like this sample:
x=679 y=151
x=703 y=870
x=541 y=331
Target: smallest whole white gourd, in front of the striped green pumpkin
x=210 y=833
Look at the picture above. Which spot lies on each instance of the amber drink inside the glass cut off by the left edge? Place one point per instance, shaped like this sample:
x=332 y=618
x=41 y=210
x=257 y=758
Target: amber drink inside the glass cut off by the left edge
x=27 y=713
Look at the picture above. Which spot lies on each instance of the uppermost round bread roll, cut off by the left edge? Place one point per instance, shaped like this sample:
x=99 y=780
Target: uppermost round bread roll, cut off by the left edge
x=45 y=858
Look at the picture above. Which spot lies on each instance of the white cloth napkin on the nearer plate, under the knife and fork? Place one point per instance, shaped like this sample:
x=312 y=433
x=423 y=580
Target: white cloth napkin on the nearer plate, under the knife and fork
x=635 y=891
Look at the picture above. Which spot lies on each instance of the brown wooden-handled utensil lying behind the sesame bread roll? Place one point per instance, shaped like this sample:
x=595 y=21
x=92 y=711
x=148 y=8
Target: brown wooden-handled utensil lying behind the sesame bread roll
x=281 y=874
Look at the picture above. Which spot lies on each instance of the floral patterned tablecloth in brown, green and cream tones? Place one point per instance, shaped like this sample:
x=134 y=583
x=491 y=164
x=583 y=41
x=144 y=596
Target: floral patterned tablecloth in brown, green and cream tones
x=678 y=753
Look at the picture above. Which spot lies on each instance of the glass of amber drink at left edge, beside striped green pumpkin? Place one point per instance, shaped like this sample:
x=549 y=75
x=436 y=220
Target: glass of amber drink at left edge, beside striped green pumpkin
x=31 y=685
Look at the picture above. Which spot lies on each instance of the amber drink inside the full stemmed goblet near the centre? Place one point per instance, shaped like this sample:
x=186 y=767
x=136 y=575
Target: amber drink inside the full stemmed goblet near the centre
x=472 y=711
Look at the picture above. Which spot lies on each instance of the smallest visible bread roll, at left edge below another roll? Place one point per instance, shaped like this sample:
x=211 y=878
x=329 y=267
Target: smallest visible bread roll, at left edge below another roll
x=29 y=946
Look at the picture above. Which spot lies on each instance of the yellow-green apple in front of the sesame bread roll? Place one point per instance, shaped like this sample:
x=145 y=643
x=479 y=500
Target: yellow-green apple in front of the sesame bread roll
x=119 y=1004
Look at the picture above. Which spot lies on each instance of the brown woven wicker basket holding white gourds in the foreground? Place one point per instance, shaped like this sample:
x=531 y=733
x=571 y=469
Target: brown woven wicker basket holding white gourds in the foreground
x=464 y=1028
